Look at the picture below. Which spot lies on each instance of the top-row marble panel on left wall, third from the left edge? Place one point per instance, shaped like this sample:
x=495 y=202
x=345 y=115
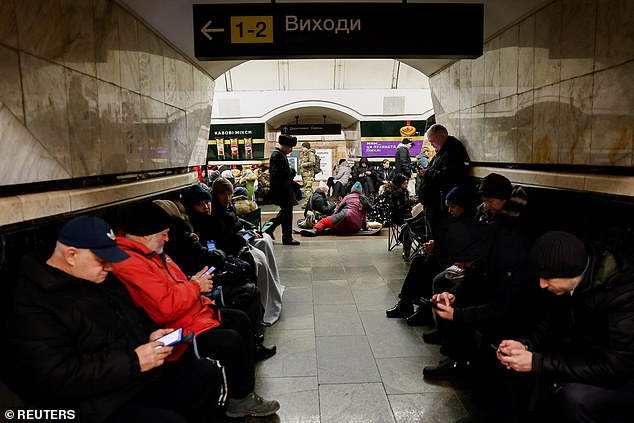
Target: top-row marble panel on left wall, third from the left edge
x=79 y=35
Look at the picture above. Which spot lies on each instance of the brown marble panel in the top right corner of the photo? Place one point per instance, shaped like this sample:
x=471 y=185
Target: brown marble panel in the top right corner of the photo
x=615 y=33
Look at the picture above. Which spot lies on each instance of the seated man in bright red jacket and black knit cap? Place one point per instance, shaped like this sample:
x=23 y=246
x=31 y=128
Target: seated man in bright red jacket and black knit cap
x=159 y=286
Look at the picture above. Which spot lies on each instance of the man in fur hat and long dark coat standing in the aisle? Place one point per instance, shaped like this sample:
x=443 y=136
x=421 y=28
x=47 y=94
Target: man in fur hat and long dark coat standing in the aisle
x=281 y=192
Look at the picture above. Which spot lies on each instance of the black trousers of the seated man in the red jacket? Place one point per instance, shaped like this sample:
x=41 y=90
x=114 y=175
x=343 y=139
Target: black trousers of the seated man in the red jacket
x=233 y=344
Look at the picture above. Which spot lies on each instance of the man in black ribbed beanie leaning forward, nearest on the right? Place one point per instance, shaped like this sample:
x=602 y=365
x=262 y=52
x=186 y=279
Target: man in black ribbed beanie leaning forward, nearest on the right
x=595 y=362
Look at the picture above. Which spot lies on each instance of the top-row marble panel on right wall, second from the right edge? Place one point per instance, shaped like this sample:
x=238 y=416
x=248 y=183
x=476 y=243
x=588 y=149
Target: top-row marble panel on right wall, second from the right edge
x=577 y=37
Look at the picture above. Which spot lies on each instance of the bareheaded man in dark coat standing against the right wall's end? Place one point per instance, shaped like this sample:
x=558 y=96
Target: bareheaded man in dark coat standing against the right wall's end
x=447 y=169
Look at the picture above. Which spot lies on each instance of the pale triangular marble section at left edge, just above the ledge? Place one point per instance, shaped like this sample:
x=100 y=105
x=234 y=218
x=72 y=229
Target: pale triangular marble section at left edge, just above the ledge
x=24 y=159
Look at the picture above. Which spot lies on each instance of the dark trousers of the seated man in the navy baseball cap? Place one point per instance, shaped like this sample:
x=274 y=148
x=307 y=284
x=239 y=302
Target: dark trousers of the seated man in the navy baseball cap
x=187 y=391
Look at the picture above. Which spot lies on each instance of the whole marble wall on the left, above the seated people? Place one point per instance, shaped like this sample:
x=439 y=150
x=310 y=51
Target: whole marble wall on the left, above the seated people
x=87 y=89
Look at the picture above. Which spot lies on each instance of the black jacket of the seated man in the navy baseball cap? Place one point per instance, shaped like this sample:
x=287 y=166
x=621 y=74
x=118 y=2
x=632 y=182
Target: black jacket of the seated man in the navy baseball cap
x=72 y=343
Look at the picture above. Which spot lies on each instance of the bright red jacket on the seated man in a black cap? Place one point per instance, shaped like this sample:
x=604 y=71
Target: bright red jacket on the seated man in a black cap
x=164 y=292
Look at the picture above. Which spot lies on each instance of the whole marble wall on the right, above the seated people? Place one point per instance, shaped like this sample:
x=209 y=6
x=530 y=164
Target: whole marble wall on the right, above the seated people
x=555 y=88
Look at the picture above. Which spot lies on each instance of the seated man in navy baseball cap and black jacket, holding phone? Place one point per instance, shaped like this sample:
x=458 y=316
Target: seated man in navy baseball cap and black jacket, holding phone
x=79 y=344
